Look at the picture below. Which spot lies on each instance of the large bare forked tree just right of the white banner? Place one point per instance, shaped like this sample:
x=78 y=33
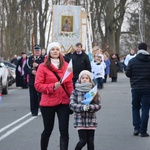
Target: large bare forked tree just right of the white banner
x=108 y=16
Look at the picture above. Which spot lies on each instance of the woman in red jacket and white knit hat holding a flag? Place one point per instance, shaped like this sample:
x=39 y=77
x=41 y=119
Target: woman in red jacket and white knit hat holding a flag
x=55 y=97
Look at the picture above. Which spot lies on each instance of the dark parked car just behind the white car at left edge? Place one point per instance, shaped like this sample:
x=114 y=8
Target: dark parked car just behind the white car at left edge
x=12 y=72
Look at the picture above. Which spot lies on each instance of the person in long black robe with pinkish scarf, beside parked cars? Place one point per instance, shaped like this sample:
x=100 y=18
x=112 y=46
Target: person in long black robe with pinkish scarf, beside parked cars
x=21 y=76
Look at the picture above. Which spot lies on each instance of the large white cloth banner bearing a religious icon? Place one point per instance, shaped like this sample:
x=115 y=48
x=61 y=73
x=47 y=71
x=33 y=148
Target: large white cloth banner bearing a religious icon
x=66 y=25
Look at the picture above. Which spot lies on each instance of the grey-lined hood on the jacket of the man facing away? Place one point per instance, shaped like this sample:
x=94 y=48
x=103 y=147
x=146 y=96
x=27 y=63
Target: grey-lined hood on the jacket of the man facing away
x=143 y=55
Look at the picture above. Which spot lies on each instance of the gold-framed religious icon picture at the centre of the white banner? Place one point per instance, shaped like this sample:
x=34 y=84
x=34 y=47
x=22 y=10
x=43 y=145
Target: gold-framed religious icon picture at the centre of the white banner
x=67 y=24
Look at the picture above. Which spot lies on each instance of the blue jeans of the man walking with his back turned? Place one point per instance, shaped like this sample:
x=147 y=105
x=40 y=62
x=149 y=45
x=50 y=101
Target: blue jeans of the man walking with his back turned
x=140 y=101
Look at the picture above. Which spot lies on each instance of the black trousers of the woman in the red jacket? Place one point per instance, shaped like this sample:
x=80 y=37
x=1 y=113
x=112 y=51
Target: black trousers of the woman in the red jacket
x=48 y=114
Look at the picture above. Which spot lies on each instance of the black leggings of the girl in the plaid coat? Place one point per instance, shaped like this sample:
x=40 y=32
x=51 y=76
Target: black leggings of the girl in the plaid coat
x=85 y=137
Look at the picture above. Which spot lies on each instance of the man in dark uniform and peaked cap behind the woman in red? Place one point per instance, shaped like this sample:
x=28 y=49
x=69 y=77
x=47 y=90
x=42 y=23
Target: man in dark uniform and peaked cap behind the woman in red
x=31 y=68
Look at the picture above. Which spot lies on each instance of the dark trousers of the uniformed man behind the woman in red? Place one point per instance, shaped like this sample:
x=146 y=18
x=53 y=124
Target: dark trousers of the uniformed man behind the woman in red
x=34 y=100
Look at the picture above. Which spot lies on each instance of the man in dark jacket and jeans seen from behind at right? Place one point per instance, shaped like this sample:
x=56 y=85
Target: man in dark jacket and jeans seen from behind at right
x=138 y=70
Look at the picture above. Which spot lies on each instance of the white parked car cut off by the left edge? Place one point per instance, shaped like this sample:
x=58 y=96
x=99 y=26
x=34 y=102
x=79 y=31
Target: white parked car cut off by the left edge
x=4 y=77
